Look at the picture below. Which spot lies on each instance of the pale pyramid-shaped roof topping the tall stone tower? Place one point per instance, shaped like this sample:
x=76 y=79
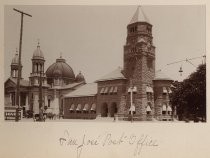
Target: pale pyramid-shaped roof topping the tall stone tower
x=139 y=16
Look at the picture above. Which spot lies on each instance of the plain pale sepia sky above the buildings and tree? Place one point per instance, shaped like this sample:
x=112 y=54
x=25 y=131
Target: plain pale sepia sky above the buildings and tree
x=91 y=38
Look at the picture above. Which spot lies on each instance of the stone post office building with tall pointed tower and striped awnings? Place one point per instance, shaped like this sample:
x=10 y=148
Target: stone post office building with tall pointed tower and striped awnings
x=150 y=90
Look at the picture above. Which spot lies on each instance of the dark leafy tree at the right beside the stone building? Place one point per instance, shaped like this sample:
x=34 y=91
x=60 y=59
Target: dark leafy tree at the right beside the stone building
x=189 y=96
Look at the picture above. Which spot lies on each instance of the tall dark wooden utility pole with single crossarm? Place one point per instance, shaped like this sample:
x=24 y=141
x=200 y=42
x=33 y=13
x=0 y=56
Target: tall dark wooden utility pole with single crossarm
x=19 y=64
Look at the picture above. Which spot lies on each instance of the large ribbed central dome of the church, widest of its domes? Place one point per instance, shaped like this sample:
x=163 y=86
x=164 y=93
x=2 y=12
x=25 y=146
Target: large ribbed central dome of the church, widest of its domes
x=60 y=69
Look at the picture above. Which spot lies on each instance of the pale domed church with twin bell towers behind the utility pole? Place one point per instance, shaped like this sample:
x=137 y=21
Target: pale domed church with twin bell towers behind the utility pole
x=58 y=81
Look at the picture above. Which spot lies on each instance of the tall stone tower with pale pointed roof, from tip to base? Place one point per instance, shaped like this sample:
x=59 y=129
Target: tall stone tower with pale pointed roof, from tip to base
x=139 y=64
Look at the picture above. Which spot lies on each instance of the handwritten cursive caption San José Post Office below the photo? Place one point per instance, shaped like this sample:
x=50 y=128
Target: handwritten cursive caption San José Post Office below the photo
x=138 y=141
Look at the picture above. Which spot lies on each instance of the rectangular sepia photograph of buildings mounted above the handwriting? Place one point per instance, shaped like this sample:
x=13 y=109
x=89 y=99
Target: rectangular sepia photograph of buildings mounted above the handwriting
x=83 y=63
